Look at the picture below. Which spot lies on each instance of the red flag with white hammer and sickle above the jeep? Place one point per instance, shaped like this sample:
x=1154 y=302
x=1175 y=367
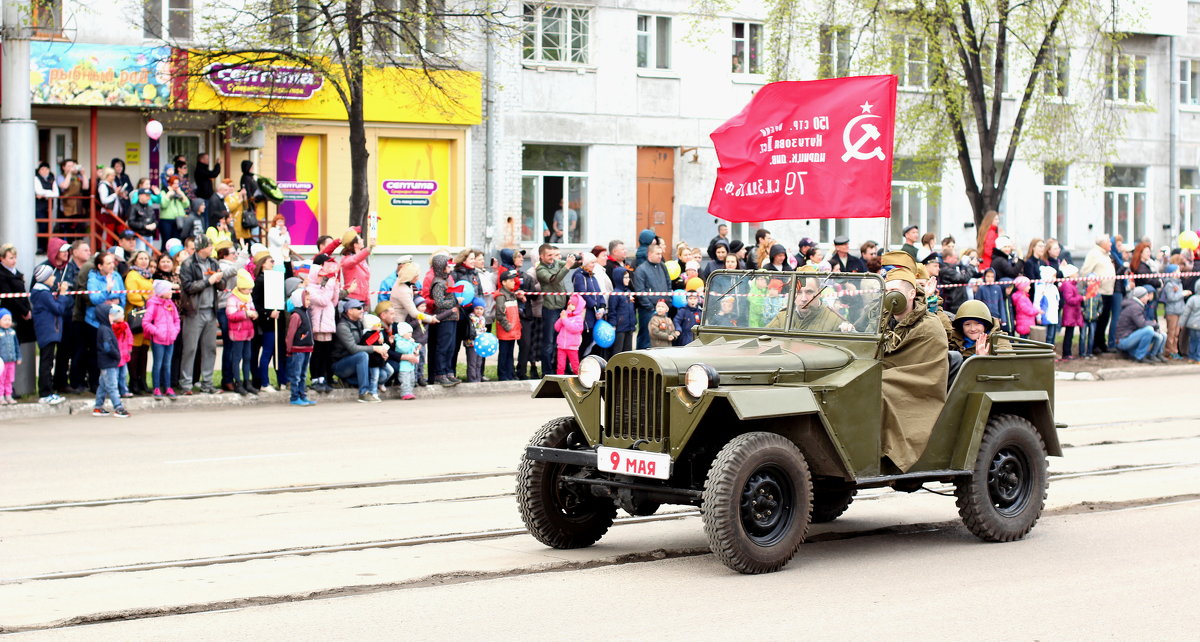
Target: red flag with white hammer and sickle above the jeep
x=813 y=149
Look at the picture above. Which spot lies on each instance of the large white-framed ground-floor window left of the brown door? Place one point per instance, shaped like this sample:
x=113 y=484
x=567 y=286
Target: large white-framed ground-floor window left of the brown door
x=554 y=195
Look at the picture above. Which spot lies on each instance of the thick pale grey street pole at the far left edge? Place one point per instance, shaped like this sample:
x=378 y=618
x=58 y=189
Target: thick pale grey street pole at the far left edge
x=19 y=137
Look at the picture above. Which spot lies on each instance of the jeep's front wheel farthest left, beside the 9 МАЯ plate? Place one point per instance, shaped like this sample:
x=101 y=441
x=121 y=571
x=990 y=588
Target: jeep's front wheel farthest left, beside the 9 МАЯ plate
x=560 y=515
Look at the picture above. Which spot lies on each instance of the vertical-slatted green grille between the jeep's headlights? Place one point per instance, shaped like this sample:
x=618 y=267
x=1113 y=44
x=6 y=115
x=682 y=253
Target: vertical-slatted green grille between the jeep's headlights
x=635 y=405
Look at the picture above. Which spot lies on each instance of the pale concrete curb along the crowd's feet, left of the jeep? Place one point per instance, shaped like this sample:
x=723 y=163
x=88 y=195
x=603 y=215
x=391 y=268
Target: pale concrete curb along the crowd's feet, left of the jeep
x=135 y=405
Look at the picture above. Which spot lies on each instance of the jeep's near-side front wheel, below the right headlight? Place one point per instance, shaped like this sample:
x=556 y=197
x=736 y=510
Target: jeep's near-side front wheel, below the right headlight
x=757 y=503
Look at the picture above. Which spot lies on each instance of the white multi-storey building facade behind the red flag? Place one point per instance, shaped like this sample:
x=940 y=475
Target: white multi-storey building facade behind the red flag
x=603 y=112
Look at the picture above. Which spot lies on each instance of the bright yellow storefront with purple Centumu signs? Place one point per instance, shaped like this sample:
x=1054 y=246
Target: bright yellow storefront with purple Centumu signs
x=417 y=137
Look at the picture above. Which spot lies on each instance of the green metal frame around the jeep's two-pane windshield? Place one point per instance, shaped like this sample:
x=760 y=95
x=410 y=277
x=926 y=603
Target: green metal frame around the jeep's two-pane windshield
x=793 y=278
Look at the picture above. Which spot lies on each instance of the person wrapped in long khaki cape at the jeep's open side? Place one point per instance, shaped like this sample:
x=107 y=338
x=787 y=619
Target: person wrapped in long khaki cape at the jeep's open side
x=915 y=375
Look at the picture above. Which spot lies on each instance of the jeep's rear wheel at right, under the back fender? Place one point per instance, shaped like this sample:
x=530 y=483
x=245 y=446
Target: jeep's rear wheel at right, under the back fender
x=1007 y=490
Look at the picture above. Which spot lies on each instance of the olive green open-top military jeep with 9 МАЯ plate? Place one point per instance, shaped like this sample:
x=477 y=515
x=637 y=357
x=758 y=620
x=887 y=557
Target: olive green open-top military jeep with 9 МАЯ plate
x=771 y=421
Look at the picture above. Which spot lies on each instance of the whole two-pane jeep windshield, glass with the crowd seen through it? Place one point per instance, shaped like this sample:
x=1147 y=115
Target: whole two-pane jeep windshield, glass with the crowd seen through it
x=839 y=303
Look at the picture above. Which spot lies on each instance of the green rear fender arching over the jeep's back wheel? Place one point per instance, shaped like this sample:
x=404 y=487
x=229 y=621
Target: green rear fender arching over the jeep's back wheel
x=1033 y=405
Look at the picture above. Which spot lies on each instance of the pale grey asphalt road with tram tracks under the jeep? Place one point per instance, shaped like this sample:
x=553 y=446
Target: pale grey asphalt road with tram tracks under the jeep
x=405 y=526
